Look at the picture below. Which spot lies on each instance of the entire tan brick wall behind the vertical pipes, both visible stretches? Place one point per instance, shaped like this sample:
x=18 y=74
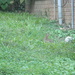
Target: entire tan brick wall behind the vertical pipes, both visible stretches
x=46 y=8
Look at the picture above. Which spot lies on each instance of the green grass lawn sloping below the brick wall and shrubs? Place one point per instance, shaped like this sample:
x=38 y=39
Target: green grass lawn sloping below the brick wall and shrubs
x=24 y=52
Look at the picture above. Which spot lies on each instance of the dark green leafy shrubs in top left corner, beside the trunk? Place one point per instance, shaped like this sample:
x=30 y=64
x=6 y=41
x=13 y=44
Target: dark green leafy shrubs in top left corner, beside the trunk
x=13 y=5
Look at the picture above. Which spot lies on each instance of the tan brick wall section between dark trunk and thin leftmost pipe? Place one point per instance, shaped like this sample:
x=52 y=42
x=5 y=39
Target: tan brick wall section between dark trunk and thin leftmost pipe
x=44 y=8
